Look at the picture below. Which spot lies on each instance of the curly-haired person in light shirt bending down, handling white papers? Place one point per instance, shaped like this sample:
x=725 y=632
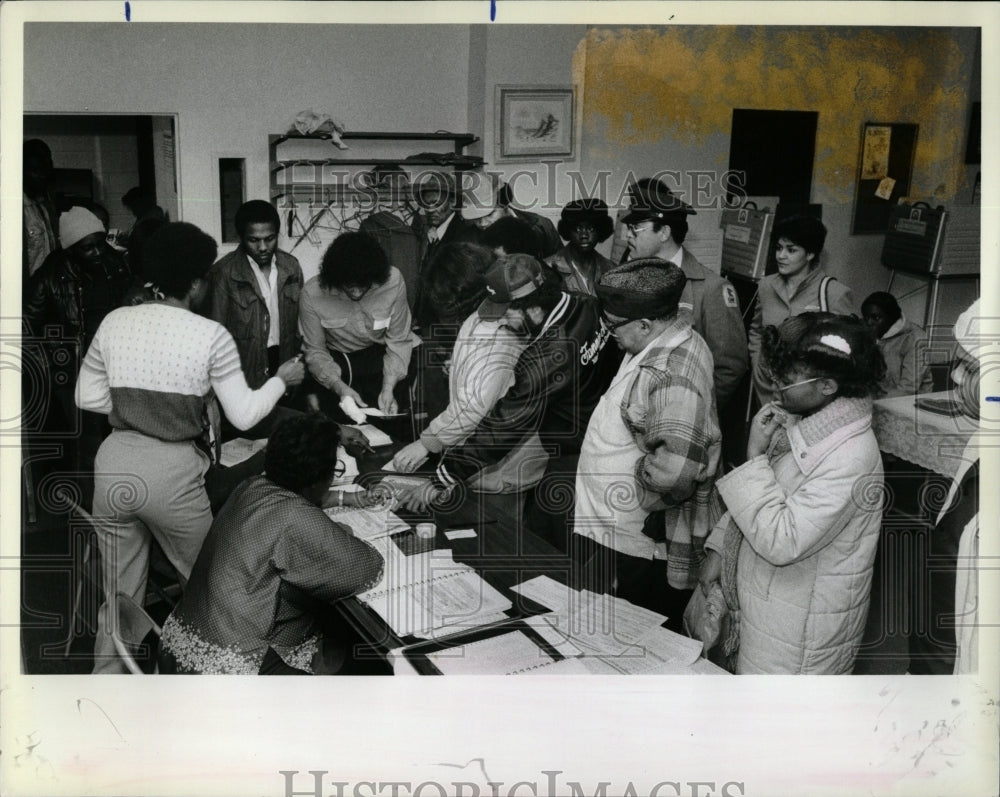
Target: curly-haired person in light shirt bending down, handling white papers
x=355 y=326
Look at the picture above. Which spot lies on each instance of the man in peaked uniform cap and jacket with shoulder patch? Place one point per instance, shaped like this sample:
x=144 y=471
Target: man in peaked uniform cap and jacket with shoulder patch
x=657 y=226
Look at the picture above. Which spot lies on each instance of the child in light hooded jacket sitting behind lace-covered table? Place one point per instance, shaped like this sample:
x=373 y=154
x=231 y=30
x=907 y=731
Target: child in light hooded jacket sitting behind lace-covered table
x=902 y=344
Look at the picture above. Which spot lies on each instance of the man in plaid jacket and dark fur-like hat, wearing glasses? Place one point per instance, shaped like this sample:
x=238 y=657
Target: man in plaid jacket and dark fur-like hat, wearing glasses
x=653 y=442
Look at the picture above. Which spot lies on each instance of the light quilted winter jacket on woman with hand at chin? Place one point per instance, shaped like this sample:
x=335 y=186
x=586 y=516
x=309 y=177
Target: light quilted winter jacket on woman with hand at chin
x=810 y=521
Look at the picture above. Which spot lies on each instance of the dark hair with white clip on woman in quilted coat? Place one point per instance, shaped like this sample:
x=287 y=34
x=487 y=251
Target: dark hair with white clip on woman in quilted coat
x=837 y=347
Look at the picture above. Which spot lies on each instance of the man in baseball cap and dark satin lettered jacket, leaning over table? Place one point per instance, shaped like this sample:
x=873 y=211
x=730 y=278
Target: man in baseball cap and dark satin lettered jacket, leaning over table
x=558 y=379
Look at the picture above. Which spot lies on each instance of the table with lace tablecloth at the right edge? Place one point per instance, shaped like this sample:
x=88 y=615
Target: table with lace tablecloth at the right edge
x=932 y=441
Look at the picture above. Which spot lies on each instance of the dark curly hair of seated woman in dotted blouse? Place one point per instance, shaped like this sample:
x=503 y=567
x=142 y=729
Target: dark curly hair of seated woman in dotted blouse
x=302 y=451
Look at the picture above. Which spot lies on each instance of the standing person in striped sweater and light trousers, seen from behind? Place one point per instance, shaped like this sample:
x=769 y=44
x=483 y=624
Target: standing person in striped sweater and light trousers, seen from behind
x=152 y=368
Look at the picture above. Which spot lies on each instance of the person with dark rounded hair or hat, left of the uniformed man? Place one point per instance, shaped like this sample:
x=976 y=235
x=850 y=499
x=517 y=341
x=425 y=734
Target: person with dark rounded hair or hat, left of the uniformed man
x=584 y=223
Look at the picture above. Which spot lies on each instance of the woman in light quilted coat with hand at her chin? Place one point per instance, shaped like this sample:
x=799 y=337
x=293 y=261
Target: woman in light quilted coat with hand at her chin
x=797 y=546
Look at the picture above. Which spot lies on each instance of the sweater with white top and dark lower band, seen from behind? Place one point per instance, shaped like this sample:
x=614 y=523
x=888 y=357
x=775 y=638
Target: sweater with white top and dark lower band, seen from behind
x=152 y=368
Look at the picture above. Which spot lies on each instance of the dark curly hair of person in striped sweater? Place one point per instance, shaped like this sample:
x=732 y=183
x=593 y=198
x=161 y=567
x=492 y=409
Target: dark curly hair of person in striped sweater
x=176 y=255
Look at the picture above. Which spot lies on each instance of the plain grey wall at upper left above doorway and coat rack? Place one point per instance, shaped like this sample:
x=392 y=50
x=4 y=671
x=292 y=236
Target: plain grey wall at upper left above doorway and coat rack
x=231 y=85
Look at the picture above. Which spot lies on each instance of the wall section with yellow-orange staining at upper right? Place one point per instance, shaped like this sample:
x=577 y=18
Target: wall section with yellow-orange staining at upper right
x=663 y=98
